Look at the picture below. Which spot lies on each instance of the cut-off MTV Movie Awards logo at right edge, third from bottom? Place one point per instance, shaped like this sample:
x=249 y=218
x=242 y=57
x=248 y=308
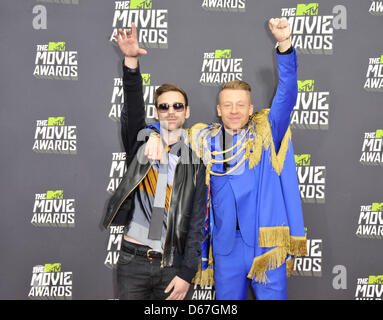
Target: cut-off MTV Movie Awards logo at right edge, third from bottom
x=372 y=148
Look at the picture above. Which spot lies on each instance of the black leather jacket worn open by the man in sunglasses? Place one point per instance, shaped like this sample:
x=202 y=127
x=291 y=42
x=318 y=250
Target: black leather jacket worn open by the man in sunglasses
x=187 y=207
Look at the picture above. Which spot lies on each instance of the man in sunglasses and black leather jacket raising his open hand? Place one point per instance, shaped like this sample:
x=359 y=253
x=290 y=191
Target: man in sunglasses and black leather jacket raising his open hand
x=150 y=267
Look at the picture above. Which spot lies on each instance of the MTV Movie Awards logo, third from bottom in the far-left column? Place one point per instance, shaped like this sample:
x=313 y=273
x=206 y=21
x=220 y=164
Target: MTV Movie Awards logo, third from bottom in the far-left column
x=53 y=136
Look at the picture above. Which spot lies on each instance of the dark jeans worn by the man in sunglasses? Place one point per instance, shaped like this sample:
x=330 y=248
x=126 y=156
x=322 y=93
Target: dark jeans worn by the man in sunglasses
x=139 y=278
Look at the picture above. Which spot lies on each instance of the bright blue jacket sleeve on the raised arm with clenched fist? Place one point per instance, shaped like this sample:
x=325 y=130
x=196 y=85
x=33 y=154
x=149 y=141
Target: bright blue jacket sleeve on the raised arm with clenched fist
x=285 y=96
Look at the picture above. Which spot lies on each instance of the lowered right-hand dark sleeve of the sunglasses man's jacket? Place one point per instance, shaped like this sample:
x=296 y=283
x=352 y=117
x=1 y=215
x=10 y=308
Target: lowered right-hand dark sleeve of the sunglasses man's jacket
x=192 y=253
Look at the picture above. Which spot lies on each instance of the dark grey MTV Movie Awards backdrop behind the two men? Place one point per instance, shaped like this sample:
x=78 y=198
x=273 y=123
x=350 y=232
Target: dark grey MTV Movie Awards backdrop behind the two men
x=62 y=155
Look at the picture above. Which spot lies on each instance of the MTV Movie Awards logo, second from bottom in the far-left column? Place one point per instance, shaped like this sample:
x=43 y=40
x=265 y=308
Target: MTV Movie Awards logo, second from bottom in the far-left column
x=50 y=209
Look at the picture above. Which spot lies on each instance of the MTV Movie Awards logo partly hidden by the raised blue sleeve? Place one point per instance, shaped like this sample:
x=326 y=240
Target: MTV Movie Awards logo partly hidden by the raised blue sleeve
x=311 y=110
